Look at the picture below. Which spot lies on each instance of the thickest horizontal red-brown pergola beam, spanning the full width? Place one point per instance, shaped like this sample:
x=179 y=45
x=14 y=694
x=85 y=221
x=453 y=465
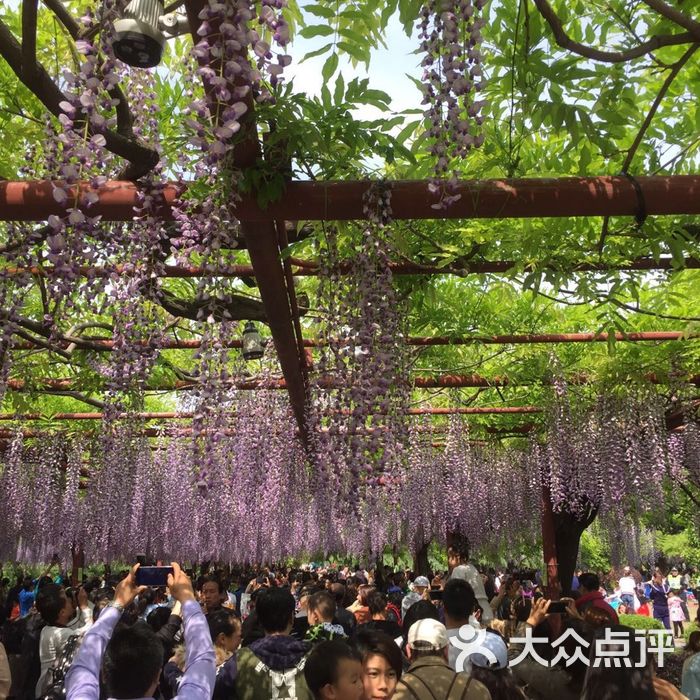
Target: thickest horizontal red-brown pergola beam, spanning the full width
x=342 y=201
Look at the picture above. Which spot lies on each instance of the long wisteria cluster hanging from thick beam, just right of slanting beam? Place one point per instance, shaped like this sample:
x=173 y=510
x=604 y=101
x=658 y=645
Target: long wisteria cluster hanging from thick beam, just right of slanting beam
x=360 y=384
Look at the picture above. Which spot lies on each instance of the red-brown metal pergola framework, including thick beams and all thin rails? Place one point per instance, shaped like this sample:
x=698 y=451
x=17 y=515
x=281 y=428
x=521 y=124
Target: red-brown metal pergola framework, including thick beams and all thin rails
x=264 y=233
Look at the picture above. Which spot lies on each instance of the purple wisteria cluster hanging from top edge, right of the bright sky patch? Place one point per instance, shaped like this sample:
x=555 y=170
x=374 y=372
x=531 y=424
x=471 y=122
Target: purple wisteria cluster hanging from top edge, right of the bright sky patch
x=450 y=33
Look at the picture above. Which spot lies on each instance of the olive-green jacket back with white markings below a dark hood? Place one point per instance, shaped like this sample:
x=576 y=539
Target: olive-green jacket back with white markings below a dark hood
x=255 y=680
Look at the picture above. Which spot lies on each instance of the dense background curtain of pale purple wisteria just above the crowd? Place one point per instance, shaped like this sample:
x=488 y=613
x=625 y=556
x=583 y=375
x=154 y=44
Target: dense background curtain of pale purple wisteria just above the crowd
x=264 y=501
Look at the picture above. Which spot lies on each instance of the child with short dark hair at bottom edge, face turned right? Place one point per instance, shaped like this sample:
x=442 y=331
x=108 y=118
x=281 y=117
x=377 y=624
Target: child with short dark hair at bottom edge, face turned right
x=333 y=671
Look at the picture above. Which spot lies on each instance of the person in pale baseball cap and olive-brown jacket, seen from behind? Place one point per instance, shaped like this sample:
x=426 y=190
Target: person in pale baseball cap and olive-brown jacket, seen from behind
x=429 y=677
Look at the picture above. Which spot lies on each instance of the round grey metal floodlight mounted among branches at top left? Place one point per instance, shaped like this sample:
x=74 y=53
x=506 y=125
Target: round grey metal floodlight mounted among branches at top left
x=141 y=33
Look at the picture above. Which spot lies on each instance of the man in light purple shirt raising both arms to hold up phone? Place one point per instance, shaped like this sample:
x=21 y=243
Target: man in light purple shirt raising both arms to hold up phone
x=134 y=657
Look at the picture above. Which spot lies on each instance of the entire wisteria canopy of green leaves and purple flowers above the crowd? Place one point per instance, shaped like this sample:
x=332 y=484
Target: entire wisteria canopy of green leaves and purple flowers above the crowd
x=148 y=214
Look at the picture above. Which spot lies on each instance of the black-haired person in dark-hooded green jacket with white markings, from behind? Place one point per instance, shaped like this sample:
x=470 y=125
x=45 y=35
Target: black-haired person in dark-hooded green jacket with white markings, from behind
x=278 y=659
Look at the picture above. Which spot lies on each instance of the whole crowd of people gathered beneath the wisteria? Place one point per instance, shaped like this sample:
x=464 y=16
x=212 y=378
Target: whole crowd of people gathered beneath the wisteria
x=335 y=633
